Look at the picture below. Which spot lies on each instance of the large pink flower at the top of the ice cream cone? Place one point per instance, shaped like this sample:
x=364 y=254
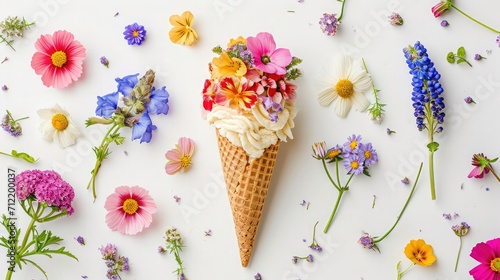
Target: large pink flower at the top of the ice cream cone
x=266 y=57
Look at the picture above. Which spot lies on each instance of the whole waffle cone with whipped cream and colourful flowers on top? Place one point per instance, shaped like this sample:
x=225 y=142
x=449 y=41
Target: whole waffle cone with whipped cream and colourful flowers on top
x=249 y=99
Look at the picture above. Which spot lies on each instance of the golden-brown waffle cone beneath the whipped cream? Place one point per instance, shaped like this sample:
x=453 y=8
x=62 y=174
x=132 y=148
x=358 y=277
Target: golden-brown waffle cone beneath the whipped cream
x=247 y=183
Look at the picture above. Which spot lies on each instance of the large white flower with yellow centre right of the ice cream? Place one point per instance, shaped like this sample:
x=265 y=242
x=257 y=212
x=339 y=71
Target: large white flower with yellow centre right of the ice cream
x=346 y=85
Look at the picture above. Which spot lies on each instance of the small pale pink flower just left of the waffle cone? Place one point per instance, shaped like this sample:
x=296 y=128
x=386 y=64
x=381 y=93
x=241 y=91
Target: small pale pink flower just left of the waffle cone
x=180 y=158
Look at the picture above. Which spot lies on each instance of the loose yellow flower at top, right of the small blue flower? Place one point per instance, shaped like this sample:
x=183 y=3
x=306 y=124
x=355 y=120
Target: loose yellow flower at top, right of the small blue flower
x=182 y=32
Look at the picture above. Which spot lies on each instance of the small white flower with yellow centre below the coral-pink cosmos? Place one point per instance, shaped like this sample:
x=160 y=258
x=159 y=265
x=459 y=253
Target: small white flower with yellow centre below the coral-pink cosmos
x=56 y=125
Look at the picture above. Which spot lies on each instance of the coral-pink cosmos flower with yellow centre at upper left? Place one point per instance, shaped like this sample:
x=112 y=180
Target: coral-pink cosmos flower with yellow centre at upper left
x=58 y=59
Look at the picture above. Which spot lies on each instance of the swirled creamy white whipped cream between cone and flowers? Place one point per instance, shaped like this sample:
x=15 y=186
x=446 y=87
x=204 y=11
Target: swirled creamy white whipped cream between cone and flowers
x=252 y=130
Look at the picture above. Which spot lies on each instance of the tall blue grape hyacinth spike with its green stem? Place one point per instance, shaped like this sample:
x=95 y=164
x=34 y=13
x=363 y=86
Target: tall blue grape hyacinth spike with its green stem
x=428 y=103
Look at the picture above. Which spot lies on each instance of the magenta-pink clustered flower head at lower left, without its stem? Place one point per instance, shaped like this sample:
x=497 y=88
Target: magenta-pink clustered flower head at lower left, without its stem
x=46 y=187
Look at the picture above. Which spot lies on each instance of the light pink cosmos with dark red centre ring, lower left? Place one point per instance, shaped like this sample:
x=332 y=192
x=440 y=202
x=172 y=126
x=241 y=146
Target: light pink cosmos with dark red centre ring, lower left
x=130 y=209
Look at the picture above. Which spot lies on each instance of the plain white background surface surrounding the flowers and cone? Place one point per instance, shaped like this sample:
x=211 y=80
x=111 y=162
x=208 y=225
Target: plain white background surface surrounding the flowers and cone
x=365 y=33
